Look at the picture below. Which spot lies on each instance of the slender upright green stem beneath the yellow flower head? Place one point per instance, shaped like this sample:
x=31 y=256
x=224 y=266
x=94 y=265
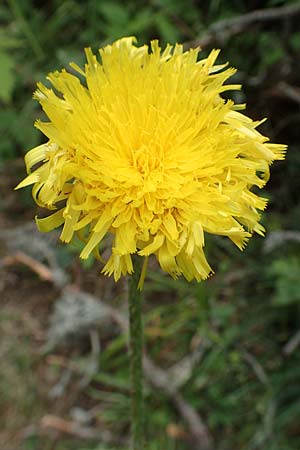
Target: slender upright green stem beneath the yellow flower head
x=136 y=356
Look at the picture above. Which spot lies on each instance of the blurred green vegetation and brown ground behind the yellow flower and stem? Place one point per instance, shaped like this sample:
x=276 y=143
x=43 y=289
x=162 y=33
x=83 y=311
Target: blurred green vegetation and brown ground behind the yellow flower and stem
x=224 y=362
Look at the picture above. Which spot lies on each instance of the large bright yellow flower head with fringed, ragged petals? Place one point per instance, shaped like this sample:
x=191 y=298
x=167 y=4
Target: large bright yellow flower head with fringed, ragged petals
x=143 y=147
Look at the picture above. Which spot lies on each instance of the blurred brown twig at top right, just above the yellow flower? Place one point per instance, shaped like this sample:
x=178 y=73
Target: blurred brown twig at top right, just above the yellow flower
x=222 y=30
